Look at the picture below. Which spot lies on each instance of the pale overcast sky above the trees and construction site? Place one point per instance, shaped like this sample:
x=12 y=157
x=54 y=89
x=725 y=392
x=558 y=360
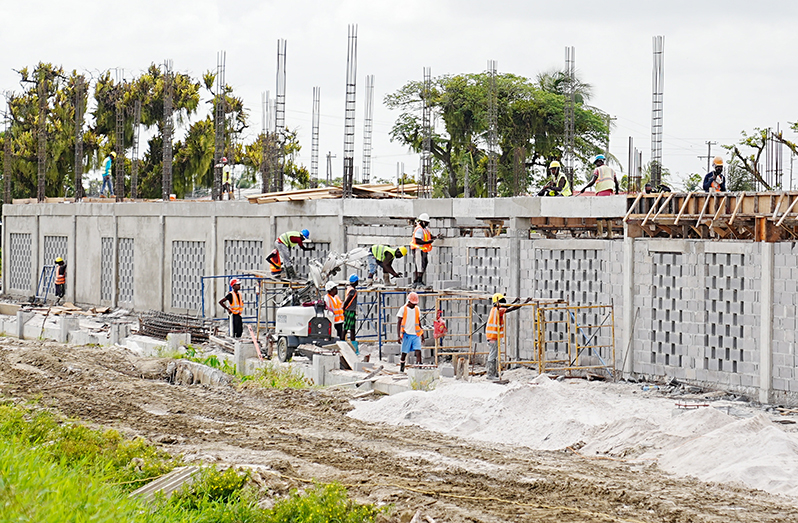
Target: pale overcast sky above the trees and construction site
x=730 y=65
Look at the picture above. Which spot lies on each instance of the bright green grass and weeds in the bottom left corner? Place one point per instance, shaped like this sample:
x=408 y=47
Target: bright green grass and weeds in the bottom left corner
x=57 y=470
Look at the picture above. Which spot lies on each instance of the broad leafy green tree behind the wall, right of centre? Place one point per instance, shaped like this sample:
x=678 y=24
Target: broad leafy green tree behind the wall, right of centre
x=530 y=128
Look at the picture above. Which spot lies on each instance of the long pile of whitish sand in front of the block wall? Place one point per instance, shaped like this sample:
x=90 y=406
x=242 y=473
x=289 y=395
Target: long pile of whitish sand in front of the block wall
x=608 y=419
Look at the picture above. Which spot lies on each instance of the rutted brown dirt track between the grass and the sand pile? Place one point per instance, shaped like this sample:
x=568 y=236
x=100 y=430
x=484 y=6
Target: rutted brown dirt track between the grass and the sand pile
x=306 y=434
